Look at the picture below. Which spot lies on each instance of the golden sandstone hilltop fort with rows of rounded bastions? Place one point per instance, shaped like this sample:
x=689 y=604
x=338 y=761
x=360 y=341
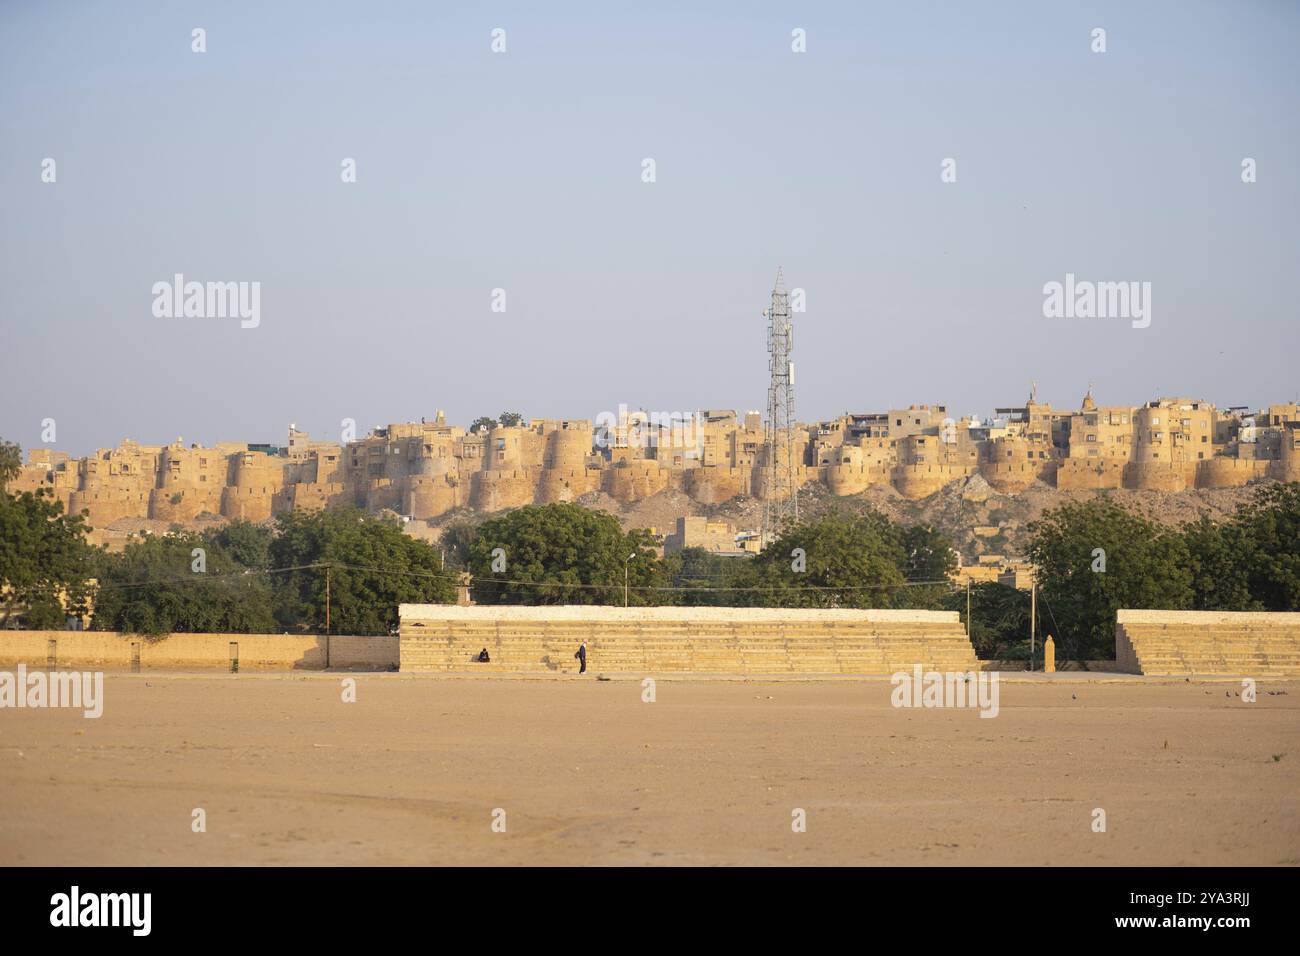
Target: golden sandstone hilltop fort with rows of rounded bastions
x=428 y=469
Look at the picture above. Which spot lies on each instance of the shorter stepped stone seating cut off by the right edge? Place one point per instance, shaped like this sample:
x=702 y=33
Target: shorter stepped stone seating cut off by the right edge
x=1230 y=644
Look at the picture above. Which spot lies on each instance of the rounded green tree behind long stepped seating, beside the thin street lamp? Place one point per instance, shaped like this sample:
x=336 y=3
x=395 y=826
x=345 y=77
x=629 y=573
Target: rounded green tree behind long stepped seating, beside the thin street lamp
x=562 y=555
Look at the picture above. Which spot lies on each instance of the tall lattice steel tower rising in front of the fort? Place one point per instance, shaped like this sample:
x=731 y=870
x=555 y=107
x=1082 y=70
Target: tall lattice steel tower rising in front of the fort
x=782 y=503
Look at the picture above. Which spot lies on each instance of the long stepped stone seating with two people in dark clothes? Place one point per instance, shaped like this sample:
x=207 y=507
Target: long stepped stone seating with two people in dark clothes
x=708 y=646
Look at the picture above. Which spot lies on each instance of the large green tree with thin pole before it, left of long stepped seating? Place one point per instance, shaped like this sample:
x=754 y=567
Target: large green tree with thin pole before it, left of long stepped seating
x=374 y=568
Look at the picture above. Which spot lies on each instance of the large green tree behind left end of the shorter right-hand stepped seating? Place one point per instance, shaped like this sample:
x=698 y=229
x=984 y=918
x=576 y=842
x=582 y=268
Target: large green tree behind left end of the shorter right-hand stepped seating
x=1146 y=566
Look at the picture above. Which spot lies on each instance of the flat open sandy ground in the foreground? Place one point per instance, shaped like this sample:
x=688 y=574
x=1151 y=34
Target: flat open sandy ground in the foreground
x=710 y=773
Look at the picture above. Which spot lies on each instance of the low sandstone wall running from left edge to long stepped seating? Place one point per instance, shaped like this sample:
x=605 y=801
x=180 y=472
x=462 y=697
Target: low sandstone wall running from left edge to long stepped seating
x=197 y=651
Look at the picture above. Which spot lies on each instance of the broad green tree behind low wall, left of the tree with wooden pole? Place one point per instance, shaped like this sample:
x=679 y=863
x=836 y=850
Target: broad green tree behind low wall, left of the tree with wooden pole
x=161 y=586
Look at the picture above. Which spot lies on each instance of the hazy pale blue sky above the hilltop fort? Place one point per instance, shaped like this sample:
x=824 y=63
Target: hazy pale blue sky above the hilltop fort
x=523 y=171
